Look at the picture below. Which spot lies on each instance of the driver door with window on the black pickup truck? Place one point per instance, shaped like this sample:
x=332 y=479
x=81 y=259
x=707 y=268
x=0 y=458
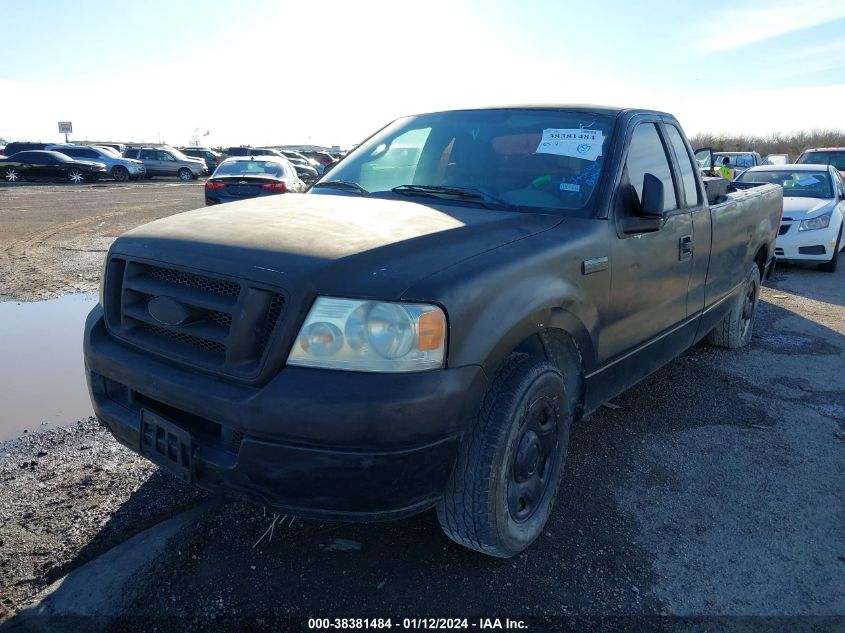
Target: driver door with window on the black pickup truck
x=650 y=269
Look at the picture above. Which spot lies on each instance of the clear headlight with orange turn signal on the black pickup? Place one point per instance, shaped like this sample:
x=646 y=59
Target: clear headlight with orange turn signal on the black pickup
x=378 y=336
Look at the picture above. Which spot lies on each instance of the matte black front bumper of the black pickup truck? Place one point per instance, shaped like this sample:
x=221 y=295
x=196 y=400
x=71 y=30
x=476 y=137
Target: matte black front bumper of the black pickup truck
x=312 y=443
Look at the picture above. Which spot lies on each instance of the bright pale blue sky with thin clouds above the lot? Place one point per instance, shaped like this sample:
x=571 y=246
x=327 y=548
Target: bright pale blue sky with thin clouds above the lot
x=271 y=72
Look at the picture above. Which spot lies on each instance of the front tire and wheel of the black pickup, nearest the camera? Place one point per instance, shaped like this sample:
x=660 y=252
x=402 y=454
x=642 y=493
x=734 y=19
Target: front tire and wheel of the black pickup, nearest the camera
x=504 y=483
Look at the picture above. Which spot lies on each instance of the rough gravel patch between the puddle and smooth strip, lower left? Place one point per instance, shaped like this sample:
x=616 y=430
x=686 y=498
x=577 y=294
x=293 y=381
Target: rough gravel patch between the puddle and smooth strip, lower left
x=66 y=496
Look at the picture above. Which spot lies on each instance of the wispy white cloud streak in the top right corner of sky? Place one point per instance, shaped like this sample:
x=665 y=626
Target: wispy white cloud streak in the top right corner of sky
x=761 y=20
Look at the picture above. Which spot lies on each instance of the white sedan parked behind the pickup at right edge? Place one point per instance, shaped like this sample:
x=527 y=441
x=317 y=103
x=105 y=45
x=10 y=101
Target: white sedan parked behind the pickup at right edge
x=811 y=229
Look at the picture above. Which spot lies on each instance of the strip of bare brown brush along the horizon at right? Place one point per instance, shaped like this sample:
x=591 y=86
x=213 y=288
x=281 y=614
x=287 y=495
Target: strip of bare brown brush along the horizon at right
x=775 y=143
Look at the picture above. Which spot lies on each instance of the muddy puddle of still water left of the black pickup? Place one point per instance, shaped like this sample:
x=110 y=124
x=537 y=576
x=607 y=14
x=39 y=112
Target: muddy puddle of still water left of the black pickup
x=42 y=381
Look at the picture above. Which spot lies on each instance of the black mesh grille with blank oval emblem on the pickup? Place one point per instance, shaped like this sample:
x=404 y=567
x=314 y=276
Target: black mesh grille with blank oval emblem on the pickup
x=203 y=330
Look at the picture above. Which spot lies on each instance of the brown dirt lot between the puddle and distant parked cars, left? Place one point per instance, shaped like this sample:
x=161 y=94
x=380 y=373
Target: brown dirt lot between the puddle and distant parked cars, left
x=54 y=237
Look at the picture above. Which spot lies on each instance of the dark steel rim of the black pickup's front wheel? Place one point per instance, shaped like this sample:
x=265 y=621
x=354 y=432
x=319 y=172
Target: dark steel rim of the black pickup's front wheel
x=533 y=465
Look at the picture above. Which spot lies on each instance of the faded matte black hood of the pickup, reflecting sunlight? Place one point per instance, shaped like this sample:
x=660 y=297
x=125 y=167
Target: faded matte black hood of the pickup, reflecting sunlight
x=331 y=244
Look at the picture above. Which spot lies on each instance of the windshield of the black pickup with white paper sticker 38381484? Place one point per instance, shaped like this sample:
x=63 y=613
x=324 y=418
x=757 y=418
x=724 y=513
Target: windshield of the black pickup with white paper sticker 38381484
x=545 y=161
